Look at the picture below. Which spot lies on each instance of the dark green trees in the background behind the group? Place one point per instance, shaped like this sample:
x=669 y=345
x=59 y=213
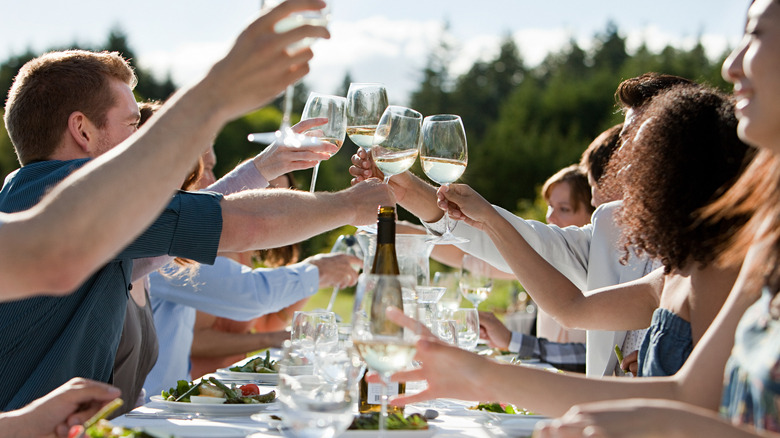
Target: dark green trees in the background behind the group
x=523 y=123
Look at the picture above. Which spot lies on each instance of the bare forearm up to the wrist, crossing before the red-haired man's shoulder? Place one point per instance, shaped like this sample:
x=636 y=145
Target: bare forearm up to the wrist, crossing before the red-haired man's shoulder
x=85 y=241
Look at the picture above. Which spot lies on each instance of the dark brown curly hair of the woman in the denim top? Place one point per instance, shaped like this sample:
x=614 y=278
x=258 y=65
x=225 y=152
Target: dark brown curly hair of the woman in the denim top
x=681 y=153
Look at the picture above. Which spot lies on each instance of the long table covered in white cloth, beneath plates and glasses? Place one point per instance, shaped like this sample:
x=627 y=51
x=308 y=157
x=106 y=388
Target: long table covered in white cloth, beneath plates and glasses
x=454 y=419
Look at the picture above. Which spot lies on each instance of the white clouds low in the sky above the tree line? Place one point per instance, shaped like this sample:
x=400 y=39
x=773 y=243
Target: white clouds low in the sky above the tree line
x=395 y=51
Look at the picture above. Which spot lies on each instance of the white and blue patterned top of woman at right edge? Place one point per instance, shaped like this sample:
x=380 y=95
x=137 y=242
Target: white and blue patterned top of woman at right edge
x=751 y=391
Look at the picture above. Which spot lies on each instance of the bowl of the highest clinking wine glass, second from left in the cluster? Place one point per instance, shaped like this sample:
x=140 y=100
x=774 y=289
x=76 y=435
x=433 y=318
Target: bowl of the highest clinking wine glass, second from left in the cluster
x=365 y=104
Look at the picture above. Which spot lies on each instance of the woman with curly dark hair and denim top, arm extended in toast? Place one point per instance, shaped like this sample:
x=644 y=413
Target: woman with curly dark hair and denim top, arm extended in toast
x=680 y=152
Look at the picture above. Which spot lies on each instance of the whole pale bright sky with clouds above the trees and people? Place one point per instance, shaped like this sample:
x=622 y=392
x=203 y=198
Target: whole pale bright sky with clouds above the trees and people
x=377 y=41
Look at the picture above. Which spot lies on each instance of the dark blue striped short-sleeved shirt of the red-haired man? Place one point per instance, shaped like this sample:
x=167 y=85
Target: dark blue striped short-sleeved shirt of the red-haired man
x=45 y=341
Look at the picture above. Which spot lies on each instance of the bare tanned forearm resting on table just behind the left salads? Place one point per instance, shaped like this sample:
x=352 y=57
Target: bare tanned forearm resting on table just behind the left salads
x=213 y=343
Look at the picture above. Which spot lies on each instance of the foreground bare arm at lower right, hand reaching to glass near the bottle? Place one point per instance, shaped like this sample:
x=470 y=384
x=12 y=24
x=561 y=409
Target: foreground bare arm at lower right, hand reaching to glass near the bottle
x=472 y=377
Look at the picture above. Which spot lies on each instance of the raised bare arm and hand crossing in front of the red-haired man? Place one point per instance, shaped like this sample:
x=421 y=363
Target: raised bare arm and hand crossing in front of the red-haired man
x=73 y=230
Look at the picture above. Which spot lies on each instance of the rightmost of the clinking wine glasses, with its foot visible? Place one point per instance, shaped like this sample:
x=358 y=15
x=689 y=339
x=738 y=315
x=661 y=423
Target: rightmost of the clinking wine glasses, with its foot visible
x=444 y=156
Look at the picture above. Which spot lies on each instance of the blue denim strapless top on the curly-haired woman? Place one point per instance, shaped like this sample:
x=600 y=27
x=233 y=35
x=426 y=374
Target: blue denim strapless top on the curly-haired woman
x=666 y=346
